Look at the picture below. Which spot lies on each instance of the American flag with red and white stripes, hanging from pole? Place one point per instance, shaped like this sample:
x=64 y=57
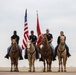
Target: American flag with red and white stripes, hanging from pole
x=25 y=37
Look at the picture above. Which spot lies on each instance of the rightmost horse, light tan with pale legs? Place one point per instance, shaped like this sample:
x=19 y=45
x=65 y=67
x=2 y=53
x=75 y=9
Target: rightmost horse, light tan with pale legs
x=62 y=54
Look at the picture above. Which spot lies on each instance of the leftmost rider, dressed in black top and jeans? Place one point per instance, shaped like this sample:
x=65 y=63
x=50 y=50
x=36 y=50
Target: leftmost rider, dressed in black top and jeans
x=20 y=50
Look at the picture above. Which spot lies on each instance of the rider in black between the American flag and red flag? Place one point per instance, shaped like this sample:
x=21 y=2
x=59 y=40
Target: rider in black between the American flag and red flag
x=33 y=38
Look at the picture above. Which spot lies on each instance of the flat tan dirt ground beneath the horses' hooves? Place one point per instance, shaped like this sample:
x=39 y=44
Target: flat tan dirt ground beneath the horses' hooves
x=39 y=70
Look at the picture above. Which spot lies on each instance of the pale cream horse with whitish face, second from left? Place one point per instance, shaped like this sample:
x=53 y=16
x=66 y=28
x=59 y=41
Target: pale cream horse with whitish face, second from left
x=31 y=53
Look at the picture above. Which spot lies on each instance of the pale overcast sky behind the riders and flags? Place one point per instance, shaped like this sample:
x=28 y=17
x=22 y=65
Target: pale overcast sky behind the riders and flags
x=56 y=15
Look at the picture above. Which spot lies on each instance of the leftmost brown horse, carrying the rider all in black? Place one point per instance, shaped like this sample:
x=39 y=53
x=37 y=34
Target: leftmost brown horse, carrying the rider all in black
x=14 y=54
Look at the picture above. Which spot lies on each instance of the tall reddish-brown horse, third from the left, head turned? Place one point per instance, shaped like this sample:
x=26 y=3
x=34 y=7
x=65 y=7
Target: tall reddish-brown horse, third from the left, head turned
x=46 y=53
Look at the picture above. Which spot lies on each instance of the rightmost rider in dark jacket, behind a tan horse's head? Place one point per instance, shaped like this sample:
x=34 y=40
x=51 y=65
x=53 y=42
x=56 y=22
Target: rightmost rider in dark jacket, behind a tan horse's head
x=58 y=42
